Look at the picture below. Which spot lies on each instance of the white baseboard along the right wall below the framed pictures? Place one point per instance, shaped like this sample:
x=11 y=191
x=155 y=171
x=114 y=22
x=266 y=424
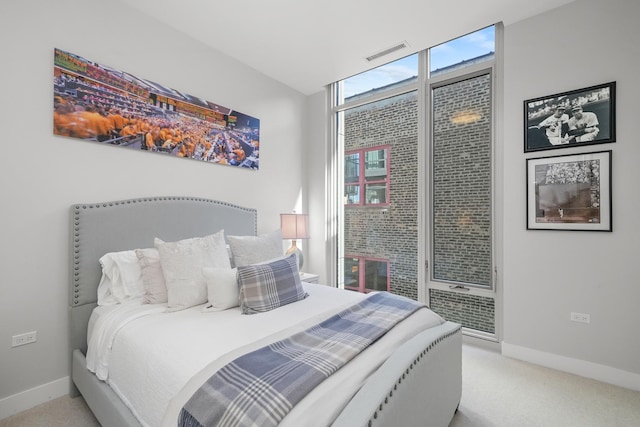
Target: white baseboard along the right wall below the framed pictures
x=583 y=368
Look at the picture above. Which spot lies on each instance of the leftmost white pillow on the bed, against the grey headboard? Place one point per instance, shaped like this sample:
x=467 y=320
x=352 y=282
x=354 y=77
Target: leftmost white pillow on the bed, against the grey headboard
x=121 y=279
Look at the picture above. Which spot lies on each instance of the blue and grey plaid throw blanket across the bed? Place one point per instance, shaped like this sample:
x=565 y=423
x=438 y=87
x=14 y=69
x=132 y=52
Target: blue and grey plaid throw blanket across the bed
x=261 y=387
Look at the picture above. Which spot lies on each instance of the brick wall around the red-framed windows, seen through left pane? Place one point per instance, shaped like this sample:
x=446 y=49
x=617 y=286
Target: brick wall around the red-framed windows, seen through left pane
x=389 y=231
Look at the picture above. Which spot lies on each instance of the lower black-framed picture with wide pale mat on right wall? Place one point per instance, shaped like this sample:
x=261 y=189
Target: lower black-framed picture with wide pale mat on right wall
x=570 y=192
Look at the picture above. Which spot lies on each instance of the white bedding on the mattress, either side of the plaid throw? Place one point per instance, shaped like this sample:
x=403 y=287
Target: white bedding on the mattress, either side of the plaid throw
x=155 y=360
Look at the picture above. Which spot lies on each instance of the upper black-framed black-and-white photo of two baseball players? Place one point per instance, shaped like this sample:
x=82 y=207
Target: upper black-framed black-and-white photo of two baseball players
x=570 y=119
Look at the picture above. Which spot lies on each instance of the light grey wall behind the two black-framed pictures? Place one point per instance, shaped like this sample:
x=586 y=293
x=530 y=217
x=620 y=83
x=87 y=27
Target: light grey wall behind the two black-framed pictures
x=548 y=274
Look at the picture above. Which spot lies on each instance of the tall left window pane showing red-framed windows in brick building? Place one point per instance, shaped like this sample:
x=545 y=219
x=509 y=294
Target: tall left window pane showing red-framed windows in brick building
x=378 y=142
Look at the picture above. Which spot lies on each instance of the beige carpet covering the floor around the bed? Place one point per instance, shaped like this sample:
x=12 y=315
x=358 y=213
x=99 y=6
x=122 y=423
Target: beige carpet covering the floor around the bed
x=496 y=391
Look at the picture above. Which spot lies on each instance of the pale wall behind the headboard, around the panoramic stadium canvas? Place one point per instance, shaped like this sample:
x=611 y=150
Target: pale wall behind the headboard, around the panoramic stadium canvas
x=41 y=174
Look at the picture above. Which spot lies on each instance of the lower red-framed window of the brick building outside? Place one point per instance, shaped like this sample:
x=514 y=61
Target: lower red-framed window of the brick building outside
x=366 y=274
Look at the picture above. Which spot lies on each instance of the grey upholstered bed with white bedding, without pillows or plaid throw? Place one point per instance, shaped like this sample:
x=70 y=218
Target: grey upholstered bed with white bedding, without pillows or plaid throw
x=410 y=376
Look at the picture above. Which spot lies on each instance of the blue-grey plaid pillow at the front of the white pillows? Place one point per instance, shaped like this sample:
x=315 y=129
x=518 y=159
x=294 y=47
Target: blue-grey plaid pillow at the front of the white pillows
x=263 y=287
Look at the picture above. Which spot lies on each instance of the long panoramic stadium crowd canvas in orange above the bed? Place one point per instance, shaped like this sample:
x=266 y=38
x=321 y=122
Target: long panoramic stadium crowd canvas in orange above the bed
x=97 y=103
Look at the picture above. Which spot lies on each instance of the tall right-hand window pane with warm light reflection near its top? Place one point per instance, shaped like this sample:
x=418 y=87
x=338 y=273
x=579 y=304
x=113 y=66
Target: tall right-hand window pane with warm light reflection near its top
x=461 y=182
